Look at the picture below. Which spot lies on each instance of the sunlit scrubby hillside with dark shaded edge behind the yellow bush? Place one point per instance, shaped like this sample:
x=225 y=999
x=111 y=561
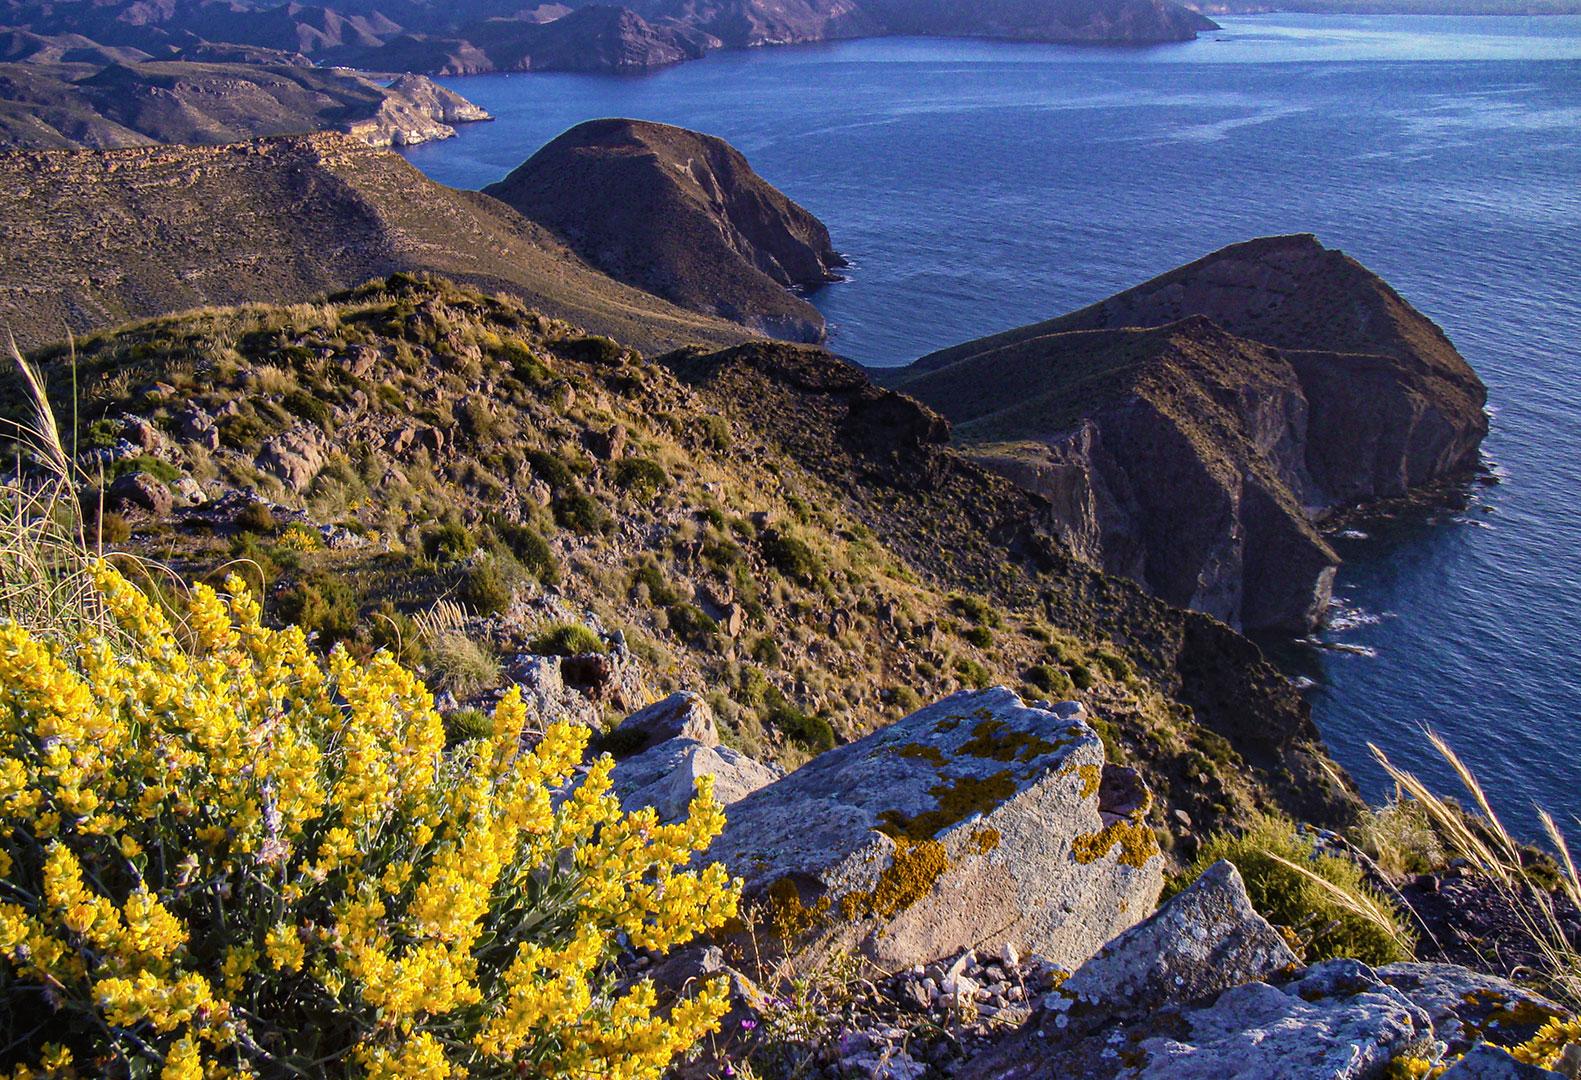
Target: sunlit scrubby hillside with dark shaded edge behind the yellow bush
x=760 y=523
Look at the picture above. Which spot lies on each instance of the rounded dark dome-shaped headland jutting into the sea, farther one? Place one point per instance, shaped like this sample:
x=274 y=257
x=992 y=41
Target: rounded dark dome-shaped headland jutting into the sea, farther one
x=681 y=216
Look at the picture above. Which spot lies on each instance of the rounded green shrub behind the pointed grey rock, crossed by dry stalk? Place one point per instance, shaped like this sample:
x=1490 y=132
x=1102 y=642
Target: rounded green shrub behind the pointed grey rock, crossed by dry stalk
x=1323 y=899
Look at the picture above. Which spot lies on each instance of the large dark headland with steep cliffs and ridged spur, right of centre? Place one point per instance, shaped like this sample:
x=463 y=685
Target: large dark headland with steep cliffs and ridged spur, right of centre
x=1283 y=380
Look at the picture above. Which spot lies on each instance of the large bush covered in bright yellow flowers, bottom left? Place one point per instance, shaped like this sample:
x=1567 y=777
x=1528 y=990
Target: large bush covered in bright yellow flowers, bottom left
x=225 y=856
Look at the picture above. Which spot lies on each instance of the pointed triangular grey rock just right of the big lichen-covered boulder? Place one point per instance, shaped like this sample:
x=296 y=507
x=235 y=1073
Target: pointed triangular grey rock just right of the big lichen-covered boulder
x=1204 y=942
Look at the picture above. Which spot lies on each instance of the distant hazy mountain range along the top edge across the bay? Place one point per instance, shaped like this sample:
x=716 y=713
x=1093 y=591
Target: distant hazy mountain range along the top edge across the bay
x=485 y=36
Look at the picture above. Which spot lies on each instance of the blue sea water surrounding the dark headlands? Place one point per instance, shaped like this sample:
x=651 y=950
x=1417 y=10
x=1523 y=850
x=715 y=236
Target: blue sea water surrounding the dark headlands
x=984 y=186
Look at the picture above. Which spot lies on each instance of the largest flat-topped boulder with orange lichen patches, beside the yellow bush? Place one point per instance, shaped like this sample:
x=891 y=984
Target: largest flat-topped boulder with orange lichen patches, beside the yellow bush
x=972 y=823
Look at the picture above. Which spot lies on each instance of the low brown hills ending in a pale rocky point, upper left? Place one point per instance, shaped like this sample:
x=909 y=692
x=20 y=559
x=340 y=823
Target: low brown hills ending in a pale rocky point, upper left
x=146 y=104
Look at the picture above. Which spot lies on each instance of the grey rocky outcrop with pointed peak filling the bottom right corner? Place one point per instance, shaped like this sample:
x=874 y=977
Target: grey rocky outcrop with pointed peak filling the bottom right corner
x=1206 y=989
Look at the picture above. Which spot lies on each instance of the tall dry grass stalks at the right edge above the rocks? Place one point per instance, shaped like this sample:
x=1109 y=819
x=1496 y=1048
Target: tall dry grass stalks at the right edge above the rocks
x=1542 y=912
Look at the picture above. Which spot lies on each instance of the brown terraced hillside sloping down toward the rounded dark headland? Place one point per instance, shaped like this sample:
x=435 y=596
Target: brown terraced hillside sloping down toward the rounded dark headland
x=97 y=238
